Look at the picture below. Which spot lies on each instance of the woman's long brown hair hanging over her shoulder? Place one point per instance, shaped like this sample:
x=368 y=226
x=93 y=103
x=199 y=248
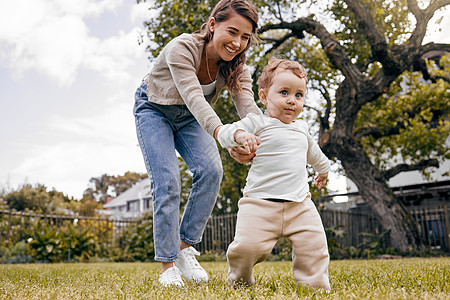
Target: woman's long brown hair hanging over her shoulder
x=232 y=70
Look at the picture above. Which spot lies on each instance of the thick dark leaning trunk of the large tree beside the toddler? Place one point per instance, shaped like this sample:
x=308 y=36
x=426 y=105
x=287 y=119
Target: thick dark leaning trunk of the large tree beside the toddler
x=371 y=184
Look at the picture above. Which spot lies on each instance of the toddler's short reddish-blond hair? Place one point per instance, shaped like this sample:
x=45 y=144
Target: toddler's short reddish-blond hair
x=277 y=65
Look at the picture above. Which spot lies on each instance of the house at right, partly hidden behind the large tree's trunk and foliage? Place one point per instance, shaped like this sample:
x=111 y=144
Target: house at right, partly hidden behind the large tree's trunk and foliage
x=428 y=203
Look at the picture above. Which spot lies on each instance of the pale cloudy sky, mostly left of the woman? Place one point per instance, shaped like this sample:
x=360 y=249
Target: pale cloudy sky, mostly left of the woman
x=68 y=73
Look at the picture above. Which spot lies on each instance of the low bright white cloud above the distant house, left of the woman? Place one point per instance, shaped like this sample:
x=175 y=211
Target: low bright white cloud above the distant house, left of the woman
x=92 y=146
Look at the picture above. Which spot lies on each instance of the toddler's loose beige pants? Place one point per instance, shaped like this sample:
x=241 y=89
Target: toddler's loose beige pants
x=259 y=225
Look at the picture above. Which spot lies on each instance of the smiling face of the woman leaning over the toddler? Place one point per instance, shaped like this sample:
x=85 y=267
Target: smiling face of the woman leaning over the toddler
x=230 y=37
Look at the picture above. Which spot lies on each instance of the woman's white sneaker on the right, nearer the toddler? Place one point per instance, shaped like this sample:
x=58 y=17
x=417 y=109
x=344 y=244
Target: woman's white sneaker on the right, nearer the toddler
x=189 y=266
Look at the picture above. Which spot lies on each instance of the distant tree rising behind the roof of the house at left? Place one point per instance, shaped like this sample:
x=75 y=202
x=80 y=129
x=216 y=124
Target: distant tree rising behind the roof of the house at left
x=110 y=185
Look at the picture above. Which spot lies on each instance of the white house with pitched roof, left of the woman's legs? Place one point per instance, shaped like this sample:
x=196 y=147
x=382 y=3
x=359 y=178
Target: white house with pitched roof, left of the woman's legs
x=133 y=202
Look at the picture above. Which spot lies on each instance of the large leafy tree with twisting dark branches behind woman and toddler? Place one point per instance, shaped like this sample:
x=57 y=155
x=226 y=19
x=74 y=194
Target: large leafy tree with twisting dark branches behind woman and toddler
x=382 y=94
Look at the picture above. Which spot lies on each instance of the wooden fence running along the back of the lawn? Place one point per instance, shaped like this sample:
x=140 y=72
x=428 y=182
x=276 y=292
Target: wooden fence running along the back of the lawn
x=433 y=226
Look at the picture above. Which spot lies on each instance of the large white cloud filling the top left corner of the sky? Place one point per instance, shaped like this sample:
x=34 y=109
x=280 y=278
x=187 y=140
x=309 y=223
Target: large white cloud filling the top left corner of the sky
x=52 y=38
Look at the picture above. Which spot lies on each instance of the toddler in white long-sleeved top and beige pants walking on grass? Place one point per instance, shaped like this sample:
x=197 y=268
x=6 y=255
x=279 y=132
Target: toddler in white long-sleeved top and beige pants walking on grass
x=276 y=201
